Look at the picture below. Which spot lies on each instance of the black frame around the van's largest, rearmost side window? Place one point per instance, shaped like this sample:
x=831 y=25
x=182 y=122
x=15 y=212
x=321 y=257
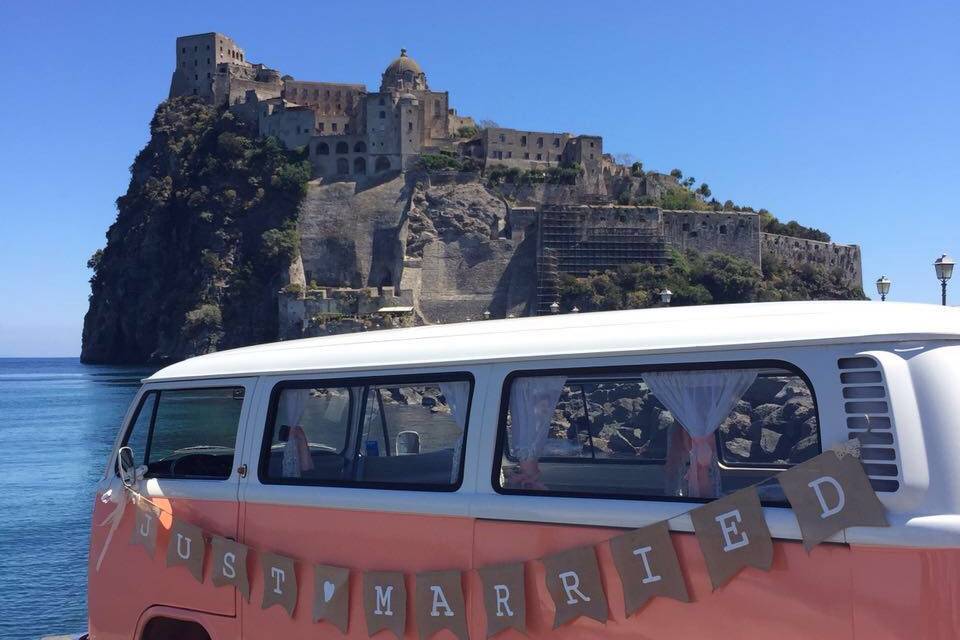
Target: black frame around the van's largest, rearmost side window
x=572 y=372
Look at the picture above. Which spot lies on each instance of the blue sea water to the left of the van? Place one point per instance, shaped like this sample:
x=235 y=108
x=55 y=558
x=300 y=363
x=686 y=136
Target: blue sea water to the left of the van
x=58 y=420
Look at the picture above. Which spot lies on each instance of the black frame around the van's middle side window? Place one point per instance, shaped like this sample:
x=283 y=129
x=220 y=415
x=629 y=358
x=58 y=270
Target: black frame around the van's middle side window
x=366 y=382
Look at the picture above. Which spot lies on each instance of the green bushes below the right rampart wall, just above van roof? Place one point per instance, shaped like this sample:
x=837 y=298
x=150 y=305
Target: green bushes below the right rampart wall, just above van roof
x=694 y=278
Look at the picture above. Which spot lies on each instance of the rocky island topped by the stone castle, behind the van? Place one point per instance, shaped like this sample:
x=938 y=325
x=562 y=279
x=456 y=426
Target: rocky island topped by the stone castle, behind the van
x=265 y=207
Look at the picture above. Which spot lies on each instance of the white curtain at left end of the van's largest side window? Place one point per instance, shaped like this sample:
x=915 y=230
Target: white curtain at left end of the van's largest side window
x=532 y=403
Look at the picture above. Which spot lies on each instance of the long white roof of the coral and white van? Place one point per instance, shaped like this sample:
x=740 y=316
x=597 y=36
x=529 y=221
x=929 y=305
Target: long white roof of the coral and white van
x=673 y=329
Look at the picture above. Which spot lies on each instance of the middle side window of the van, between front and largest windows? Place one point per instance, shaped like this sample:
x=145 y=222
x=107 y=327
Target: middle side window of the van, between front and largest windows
x=403 y=435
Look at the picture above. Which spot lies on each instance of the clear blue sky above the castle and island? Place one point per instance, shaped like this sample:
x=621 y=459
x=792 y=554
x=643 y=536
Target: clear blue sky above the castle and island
x=842 y=115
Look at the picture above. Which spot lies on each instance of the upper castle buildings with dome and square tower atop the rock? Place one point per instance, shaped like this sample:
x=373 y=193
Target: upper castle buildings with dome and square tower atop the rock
x=351 y=132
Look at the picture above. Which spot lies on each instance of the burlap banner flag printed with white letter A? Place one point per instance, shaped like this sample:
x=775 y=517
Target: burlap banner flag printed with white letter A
x=439 y=604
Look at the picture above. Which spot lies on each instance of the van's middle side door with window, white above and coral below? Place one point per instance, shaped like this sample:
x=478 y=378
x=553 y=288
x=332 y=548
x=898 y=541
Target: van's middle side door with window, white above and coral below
x=367 y=472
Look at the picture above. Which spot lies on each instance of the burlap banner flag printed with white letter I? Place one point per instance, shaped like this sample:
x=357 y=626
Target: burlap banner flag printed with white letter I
x=648 y=566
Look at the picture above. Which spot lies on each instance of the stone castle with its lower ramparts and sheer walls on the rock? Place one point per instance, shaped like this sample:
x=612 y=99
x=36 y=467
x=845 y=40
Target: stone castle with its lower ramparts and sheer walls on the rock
x=363 y=231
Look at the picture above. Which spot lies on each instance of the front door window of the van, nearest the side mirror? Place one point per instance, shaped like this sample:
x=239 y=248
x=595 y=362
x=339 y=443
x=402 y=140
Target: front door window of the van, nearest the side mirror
x=187 y=433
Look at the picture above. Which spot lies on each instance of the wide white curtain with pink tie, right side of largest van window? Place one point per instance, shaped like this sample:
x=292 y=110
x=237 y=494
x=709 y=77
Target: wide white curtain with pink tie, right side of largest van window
x=700 y=401
